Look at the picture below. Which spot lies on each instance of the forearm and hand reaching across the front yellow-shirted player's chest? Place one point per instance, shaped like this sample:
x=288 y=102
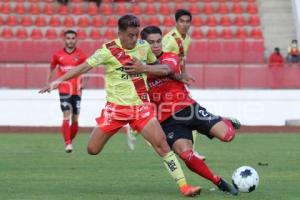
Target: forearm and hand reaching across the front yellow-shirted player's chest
x=155 y=70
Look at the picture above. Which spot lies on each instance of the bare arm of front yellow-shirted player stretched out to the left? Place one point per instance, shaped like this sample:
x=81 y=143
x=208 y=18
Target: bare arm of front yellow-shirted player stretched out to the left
x=80 y=69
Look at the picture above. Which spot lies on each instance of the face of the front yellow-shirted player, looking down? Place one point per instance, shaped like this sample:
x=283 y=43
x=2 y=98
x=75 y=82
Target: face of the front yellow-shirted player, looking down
x=129 y=37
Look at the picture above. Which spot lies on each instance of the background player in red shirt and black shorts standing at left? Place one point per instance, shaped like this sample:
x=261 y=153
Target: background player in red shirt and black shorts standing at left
x=69 y=91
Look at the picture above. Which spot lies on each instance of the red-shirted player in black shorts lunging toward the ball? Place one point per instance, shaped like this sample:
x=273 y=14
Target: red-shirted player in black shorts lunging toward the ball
x=179 y=114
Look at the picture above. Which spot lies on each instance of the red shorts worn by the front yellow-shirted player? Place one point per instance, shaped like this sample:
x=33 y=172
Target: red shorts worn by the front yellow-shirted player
x=113 y=117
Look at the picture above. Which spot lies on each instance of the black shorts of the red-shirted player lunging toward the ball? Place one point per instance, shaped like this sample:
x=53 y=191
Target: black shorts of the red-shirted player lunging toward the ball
x=183 y=123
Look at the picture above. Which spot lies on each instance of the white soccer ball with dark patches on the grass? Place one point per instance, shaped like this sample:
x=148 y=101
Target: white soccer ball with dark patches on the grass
x=245 y=179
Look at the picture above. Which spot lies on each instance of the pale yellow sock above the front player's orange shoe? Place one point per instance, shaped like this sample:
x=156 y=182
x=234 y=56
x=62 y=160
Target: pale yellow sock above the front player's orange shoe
x=174 y=168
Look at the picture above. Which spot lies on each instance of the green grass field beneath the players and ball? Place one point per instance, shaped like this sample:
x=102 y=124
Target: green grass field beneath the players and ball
x=34 y=166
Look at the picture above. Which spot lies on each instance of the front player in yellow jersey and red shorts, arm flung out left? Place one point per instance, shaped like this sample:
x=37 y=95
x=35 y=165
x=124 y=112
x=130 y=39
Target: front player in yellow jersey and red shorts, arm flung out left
x=127 y=97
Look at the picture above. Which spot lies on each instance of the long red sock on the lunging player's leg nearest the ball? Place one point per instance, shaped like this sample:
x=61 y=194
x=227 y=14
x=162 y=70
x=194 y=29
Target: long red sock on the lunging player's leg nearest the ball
x=197 y=165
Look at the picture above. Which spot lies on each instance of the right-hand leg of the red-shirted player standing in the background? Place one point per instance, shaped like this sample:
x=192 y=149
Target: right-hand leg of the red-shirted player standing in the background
x=76 y=100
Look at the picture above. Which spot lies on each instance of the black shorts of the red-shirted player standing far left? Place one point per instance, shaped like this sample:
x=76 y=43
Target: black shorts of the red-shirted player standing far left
x=70 y=102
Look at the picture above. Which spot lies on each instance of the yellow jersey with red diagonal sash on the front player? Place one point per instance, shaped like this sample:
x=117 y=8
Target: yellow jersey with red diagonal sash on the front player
x=119 y=85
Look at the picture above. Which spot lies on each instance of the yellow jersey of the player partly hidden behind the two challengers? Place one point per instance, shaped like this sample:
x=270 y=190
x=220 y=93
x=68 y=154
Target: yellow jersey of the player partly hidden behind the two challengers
x=171 y=45
